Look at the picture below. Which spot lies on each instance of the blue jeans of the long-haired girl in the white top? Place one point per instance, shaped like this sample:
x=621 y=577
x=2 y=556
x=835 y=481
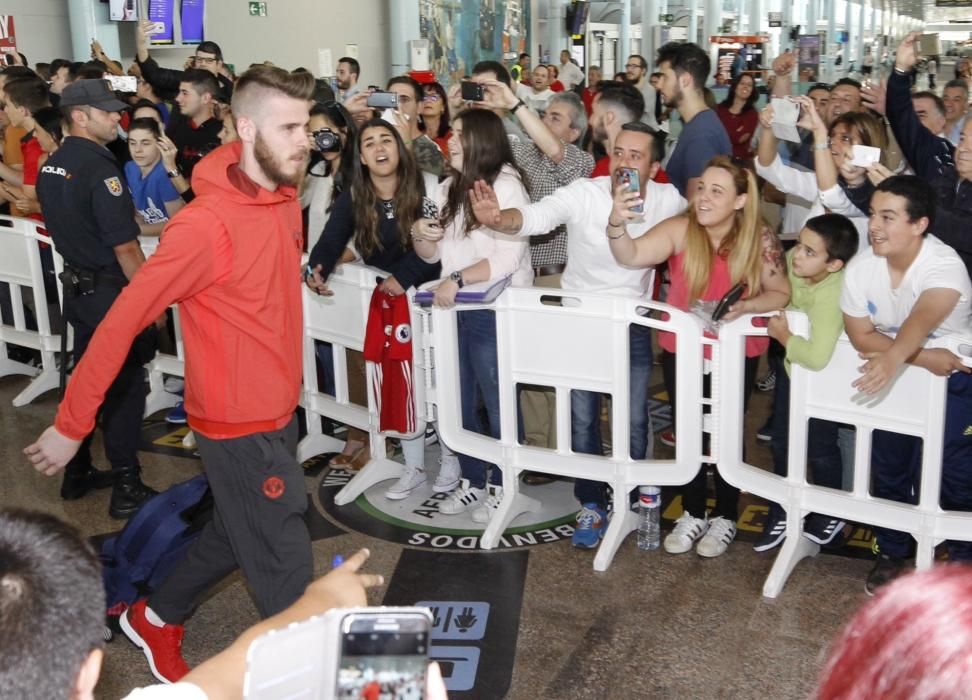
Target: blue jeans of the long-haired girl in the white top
x=479 y=389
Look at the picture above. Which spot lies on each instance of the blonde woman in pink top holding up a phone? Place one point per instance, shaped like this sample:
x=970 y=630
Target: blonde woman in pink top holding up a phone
x=716 y=244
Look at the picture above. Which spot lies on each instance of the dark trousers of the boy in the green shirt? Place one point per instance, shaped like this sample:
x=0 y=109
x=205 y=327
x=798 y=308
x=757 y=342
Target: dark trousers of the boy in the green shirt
x=824 y=461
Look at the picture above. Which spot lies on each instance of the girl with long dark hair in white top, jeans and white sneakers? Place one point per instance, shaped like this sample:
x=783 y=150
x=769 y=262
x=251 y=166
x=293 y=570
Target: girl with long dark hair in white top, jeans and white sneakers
x=469 y=252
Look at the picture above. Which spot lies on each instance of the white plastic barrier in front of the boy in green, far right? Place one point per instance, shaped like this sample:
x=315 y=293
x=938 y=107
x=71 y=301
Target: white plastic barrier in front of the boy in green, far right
x=914 y=404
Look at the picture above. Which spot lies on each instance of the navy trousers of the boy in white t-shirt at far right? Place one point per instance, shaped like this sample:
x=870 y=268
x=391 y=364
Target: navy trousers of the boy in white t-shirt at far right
x=896 y=466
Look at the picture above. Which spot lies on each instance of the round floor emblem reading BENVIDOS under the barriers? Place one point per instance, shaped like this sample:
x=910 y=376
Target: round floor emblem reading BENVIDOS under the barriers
x=417 y=520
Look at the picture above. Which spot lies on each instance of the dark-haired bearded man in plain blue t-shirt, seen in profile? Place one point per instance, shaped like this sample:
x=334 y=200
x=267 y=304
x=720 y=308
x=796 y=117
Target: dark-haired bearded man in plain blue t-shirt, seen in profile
x=684 y=69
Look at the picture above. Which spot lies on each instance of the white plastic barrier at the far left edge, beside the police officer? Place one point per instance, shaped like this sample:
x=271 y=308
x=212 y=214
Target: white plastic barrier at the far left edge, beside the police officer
x=20 y=268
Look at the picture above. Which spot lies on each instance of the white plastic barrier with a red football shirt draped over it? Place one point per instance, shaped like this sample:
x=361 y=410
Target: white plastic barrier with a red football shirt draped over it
x=341 y=320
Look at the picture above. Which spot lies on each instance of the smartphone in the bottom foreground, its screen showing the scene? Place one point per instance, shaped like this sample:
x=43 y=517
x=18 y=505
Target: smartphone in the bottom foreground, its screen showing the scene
x=383 y=653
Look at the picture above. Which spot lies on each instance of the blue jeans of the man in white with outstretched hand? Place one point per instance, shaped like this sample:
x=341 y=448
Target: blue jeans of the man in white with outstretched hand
x=585 y=416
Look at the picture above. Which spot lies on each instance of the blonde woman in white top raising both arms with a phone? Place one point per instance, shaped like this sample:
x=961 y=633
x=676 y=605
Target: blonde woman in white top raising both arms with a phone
x=814 y=193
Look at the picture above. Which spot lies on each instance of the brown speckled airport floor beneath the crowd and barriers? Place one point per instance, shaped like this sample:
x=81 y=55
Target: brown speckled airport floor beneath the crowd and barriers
x=539 y=621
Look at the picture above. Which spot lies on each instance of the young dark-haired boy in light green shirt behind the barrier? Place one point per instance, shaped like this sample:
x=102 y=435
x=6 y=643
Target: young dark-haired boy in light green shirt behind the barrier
x=816 y=270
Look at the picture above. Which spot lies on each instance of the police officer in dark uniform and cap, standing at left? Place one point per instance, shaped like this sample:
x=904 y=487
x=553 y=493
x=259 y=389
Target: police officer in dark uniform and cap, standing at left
x=91 y=218
